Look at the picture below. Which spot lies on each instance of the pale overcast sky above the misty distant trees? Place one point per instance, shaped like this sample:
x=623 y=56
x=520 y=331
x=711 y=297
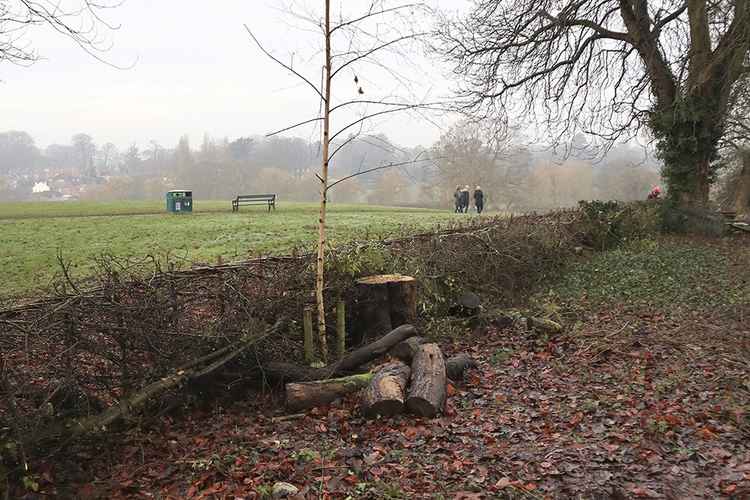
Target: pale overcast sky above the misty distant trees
x=194 y=70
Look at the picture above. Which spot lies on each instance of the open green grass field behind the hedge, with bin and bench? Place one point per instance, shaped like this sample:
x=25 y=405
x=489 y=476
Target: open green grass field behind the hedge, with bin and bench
x=31 y=234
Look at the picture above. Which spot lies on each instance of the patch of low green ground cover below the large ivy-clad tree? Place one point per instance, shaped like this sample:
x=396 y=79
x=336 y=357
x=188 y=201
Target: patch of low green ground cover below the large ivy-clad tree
x=664 y=273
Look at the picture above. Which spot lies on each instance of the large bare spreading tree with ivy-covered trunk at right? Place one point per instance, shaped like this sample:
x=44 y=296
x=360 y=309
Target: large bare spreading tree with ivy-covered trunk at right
x=610 y=67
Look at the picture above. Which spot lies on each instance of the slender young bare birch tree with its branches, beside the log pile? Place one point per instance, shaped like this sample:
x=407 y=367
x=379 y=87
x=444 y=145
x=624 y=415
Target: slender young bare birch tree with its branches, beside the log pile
x=353 y=45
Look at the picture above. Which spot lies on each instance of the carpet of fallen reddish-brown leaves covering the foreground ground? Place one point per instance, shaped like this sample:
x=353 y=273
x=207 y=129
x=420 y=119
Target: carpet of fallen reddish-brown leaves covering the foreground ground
x=626 y=404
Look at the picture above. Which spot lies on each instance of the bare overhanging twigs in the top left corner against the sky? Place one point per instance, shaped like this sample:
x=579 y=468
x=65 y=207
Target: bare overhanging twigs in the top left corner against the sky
x=82 y=21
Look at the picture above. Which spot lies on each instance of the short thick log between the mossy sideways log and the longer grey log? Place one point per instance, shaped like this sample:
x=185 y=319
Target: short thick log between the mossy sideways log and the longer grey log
x=385 y=394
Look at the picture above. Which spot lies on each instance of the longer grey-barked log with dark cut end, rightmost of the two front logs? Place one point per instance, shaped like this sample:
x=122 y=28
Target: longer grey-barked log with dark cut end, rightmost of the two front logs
x=428 y=382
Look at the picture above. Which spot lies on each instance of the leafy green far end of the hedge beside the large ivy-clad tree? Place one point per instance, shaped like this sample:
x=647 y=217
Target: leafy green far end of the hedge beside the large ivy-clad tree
x=607 y=224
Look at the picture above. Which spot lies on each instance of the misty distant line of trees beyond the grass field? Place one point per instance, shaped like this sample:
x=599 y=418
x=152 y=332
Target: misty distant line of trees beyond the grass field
x=514 y=175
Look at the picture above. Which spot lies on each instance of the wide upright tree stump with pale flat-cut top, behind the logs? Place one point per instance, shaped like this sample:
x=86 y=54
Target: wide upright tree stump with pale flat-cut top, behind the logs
x=381 y=303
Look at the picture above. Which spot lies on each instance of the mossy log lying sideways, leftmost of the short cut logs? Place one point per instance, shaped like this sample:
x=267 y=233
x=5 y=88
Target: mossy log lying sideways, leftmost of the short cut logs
x=304 y=395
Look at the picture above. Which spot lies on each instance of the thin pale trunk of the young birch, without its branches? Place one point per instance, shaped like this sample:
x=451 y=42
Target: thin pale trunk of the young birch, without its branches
x=320 y=261
